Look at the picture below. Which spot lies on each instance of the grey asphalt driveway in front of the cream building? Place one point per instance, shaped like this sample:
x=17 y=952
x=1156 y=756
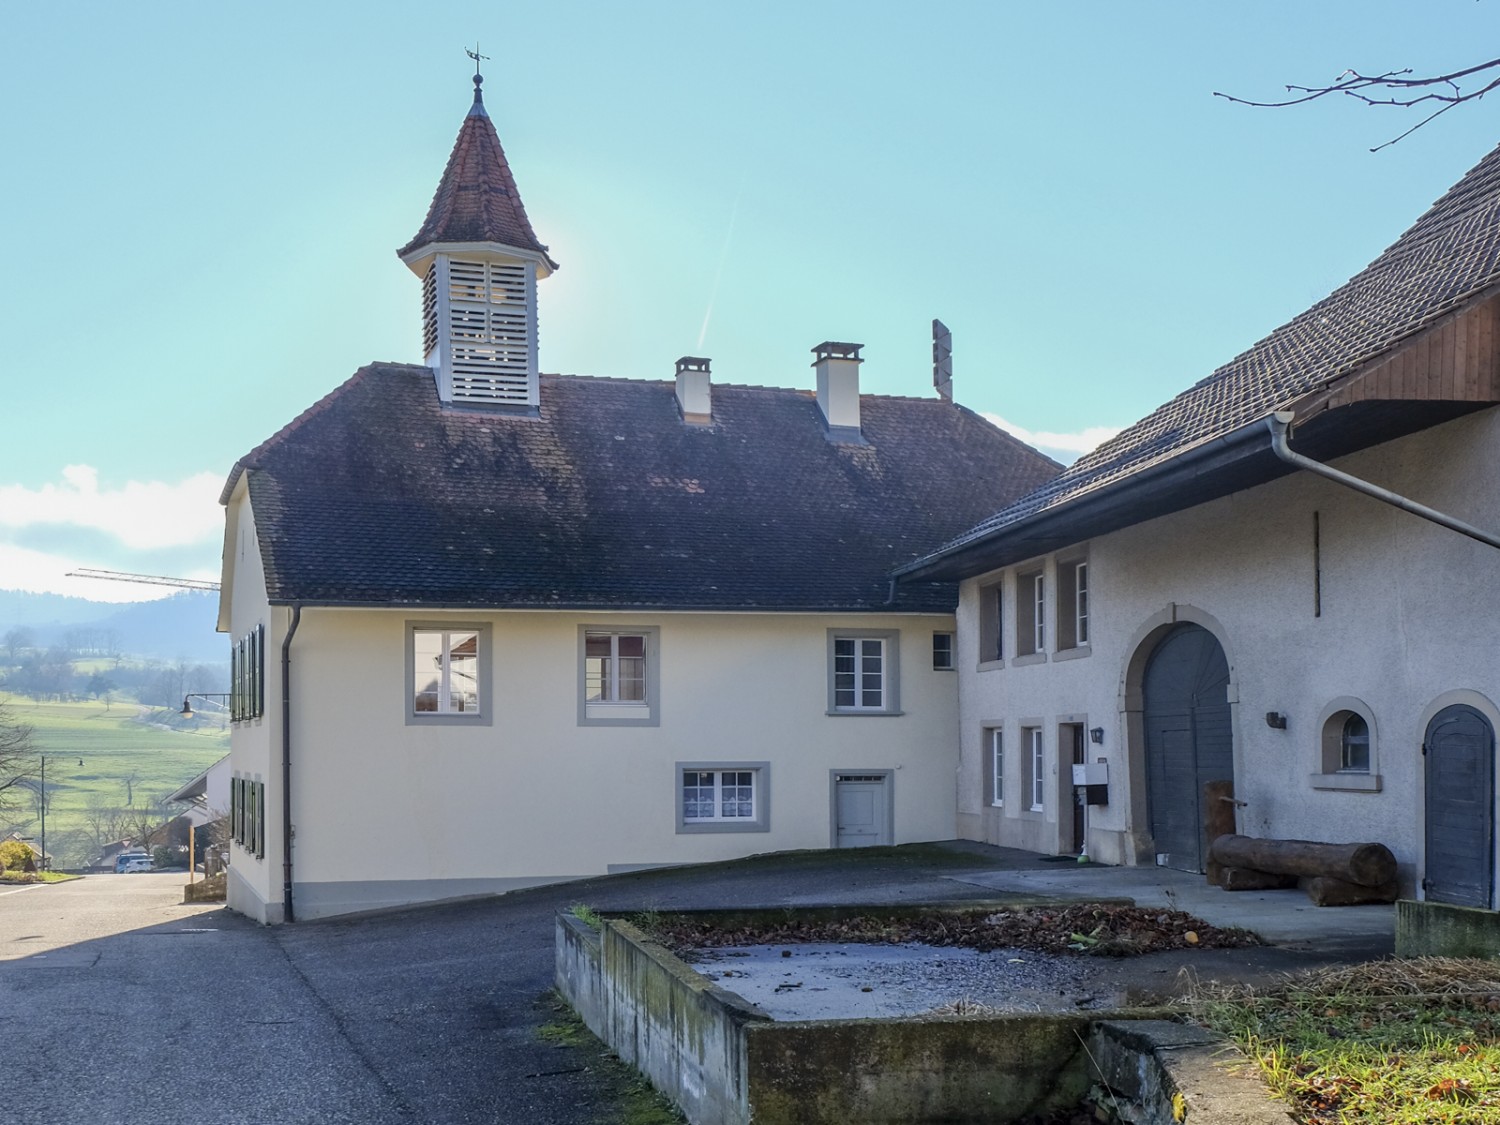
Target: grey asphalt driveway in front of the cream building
x=124 y=1006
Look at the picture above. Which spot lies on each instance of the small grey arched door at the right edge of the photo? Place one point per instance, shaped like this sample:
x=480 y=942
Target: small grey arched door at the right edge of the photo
x=1460 y=766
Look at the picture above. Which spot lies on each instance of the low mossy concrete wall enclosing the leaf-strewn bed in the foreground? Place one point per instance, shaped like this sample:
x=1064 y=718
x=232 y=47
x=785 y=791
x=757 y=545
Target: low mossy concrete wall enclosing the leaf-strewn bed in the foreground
x=727 y=1063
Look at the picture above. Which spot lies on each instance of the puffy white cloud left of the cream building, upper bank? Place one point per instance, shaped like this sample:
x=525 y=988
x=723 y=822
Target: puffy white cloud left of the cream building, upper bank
x=143 y=515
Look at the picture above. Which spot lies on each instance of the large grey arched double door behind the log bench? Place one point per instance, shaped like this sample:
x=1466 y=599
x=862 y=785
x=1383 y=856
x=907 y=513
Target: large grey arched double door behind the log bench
x=1189 y=740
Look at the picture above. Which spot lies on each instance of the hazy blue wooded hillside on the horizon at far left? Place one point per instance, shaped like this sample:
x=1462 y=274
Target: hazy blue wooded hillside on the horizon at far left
x=178 y=628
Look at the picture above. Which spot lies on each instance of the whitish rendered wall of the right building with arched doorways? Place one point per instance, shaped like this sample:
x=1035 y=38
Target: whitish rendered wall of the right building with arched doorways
x=1408 y=619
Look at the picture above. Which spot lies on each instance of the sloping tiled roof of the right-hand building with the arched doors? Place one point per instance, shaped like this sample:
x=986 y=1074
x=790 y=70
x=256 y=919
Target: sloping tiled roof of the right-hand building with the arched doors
x=1447 y=260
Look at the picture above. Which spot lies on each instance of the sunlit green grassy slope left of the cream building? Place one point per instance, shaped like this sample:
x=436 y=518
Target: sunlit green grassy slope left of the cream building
x=106 y=755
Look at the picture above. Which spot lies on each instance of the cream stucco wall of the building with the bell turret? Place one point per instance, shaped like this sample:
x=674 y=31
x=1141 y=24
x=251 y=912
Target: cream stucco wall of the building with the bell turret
x=389 y=812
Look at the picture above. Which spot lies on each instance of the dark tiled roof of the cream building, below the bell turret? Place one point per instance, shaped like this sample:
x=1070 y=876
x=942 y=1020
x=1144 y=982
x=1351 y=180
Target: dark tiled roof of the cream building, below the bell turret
x=382 y=496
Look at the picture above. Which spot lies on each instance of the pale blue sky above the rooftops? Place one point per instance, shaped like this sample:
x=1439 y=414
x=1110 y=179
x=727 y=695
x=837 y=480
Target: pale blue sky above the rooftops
x=203 y=205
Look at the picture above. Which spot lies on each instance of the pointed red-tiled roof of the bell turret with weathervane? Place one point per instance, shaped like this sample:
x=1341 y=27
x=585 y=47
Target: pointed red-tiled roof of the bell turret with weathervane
x=478 y=199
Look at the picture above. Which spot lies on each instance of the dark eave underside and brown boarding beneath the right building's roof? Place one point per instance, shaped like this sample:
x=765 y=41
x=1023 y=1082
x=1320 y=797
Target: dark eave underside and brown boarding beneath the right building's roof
x=1448 y=370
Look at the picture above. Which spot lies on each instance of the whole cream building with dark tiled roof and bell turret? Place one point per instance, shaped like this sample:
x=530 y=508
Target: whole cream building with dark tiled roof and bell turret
x=497 y=628
